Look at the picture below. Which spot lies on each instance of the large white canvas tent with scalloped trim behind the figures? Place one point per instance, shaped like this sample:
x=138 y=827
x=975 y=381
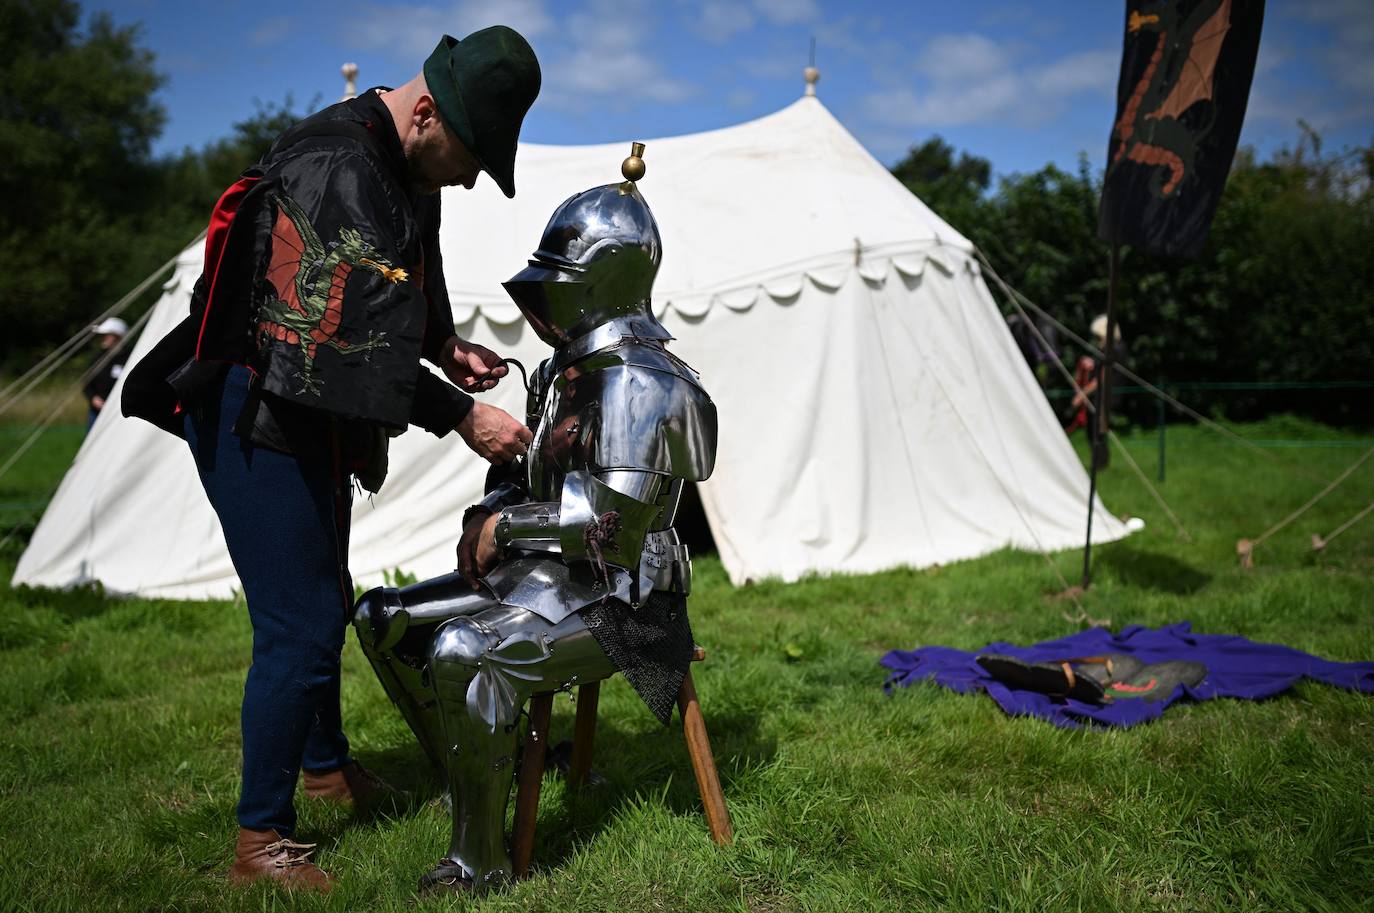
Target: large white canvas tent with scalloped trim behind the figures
x=875 y=410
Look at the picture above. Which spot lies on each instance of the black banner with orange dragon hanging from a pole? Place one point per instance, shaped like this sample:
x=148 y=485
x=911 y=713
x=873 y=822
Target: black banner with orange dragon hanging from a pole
x=1186 y=74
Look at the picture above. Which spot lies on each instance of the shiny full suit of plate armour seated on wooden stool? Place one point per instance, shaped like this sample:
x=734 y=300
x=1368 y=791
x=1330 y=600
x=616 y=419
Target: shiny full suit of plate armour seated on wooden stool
x=593 y=577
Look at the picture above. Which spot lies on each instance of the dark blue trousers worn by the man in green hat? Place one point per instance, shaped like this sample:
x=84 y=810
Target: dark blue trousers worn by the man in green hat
x=286 y=526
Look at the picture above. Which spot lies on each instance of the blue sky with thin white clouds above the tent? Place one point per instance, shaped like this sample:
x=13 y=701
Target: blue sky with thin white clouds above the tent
x=1020 y=85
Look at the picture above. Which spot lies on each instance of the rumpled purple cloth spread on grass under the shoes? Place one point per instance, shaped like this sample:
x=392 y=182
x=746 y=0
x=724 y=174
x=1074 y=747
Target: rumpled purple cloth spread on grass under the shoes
x=1236 y=668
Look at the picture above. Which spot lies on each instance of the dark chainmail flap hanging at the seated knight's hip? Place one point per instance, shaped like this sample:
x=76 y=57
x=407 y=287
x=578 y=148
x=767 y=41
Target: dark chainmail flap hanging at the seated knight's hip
x=651 y=646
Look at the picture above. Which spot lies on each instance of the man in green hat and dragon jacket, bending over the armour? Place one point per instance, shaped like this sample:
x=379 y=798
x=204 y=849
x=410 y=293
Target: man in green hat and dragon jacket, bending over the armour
x=324 y=289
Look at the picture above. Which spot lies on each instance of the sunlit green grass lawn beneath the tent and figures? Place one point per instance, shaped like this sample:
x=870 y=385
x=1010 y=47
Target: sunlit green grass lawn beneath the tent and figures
x=119 y=739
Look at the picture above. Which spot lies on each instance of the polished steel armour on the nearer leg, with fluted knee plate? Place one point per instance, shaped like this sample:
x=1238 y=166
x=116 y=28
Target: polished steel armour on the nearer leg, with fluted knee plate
x=483 y=669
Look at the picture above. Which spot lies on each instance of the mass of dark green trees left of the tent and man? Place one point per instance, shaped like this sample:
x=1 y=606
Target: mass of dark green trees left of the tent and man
x=89 y=212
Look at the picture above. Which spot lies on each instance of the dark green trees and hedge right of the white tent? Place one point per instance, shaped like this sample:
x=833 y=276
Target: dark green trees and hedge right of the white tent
x=1283 y=292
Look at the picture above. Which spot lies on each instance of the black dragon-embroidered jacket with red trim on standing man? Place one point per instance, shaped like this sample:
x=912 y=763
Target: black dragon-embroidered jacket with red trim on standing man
x=330 y=288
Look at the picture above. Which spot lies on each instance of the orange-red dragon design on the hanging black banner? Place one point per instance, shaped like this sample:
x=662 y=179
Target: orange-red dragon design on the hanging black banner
x=1180 y=75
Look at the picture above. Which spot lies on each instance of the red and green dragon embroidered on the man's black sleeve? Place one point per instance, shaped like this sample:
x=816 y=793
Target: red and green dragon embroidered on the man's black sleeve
x=310 y=284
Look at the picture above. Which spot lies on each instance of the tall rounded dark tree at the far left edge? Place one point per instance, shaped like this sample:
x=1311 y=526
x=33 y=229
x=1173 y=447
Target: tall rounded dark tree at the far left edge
x=76 y=126
